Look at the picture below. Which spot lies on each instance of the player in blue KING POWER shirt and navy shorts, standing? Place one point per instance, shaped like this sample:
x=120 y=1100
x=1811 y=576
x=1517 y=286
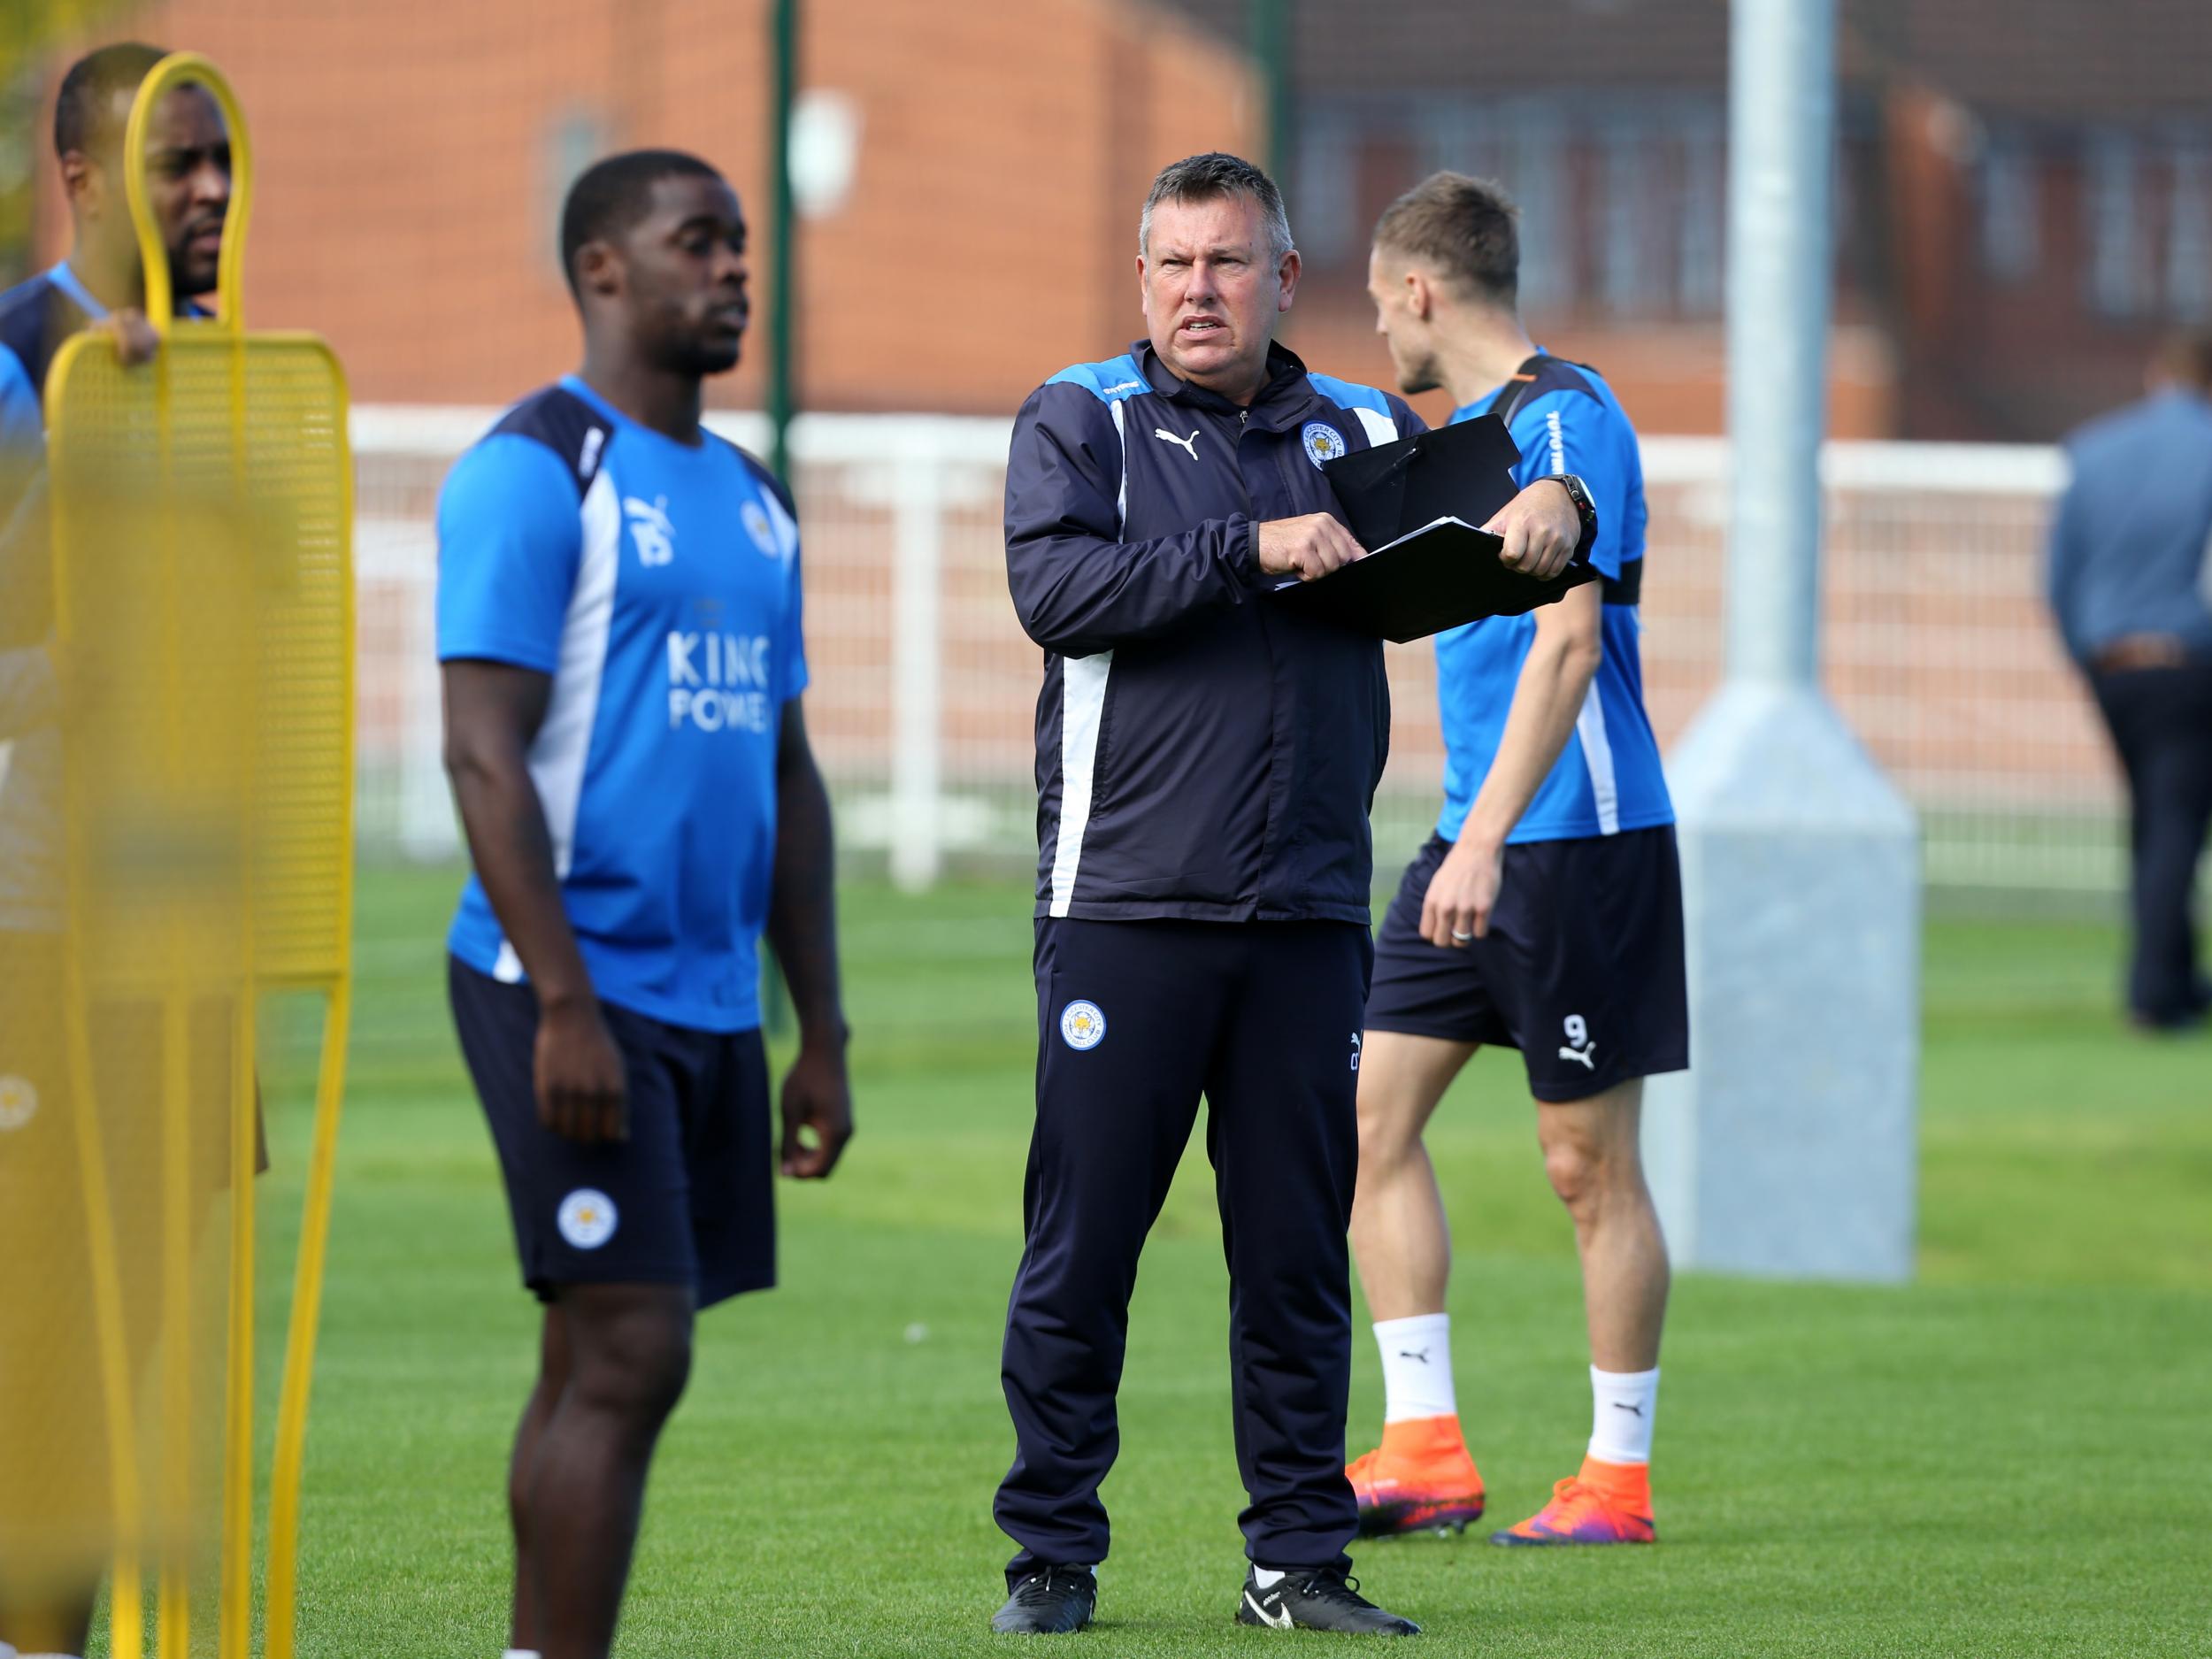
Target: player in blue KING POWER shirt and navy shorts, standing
x=620 y=629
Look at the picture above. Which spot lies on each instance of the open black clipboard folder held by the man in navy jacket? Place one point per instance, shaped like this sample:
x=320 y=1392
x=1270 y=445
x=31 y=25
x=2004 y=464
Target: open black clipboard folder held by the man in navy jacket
x=1417 y=505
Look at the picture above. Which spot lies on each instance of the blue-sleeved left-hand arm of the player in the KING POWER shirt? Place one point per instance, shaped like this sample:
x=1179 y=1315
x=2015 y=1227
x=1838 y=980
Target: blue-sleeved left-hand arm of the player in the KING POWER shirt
x=510 y=543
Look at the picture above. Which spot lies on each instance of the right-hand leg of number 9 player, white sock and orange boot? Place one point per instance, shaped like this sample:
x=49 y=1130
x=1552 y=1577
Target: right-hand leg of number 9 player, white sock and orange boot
x=1596 y=1165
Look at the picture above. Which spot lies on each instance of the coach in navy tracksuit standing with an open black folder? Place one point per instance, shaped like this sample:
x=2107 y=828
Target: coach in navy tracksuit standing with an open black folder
x=1207 y=762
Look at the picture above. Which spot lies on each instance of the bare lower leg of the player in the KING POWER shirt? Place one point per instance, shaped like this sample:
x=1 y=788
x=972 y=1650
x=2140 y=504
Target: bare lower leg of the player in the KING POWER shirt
x=585 y=1485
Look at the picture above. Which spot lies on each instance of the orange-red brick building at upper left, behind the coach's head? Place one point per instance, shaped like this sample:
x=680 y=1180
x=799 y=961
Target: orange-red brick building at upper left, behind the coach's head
x=413 y=158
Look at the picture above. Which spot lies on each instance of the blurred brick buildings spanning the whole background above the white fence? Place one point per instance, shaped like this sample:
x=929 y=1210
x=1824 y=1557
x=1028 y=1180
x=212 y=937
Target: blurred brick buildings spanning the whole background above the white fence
x=2025 y=189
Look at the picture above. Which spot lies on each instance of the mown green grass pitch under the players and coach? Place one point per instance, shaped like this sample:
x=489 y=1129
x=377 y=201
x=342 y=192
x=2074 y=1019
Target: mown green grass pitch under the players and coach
x=2007 y=1459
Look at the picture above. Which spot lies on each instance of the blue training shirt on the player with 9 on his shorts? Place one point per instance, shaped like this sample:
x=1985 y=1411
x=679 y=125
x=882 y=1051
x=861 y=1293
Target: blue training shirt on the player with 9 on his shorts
x=1607 y=778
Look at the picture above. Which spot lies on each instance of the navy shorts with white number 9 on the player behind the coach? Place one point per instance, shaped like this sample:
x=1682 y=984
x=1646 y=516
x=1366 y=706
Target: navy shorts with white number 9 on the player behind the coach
x=1580 y=970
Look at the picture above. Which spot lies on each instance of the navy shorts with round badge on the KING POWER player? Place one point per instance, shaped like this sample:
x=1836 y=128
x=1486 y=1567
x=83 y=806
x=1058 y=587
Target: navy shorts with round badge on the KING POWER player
x=689 y=1200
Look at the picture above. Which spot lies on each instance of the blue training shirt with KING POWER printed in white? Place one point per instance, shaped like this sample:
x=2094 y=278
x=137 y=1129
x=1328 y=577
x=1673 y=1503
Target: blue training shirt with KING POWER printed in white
x=658 y=585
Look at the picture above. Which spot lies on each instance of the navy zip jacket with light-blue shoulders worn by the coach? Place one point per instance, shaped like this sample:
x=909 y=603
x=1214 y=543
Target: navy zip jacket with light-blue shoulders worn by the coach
x=1202 y=753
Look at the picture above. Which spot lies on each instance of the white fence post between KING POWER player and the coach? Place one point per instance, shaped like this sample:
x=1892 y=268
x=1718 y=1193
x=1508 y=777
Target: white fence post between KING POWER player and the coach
x=917 y=680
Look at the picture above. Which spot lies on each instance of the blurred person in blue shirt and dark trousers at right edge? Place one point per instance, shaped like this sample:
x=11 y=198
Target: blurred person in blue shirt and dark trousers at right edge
x=2131 y=587
